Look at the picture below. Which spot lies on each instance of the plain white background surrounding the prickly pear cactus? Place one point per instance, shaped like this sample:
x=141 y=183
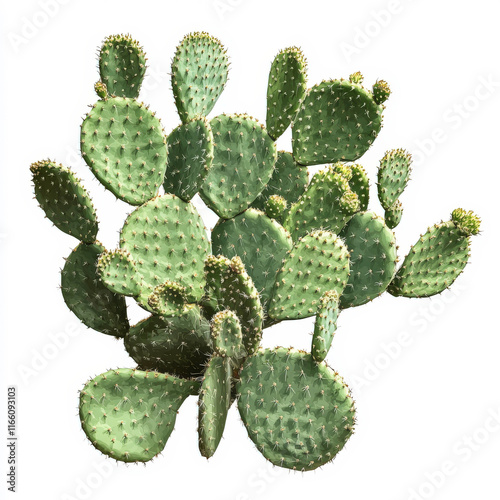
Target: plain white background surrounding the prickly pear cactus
x=423 y=407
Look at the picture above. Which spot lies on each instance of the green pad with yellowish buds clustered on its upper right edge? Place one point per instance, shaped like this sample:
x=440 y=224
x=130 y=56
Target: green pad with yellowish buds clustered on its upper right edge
x=328 y=203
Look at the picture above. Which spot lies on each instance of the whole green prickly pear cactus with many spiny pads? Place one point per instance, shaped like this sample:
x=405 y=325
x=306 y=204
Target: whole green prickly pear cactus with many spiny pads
x=285 y=247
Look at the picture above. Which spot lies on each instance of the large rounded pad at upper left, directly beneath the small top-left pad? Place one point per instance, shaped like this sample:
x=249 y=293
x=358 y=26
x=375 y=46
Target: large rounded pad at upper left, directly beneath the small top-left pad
x=123 y=143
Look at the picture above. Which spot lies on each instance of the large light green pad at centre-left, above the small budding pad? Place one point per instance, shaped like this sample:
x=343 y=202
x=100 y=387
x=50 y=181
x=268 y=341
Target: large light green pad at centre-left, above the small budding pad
x=167 y=239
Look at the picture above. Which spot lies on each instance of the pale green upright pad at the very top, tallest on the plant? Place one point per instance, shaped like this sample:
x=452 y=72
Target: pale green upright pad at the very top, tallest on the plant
x=199 y=74
